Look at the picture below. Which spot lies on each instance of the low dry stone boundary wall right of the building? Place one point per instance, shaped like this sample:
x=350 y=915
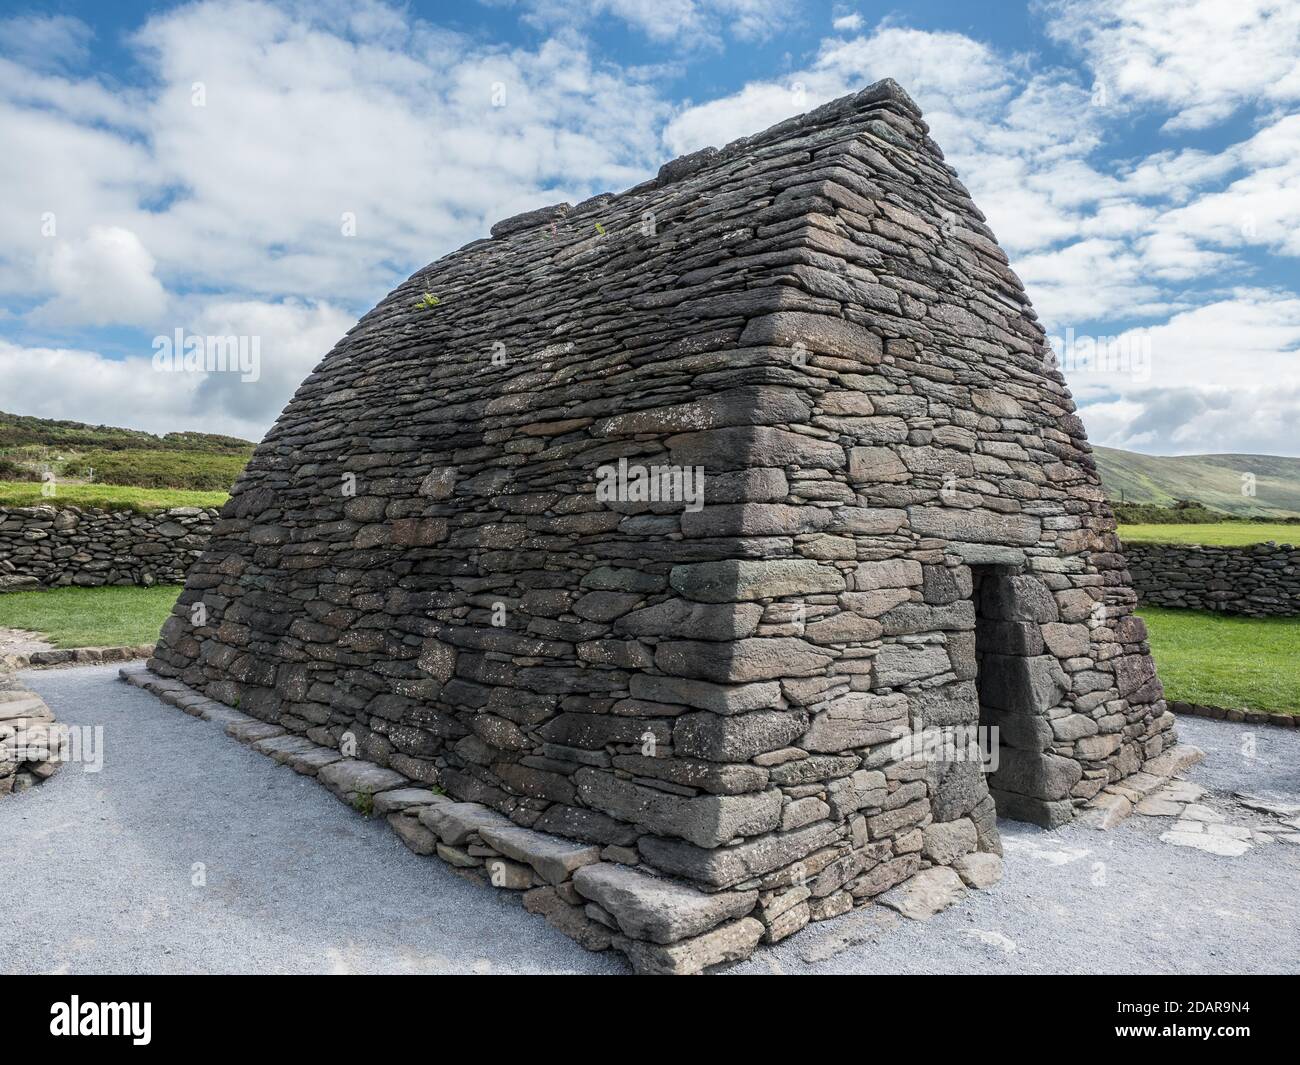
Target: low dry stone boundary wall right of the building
x=1259 y=582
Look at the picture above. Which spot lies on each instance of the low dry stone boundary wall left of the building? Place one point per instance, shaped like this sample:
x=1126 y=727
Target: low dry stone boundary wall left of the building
x=47 y=547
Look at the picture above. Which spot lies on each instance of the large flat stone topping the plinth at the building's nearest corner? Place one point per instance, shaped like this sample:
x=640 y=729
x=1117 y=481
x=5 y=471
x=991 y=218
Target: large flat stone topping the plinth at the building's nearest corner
x=651 y=908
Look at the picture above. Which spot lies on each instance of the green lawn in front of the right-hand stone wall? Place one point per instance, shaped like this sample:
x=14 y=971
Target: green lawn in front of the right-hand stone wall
x=1232 y=663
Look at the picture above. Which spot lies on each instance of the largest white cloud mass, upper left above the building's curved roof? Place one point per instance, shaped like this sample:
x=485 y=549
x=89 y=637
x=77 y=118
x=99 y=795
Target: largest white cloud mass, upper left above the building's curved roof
x=298 y=128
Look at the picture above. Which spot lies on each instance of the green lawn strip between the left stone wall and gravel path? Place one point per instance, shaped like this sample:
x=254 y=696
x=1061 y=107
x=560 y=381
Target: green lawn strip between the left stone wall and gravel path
x=92 y=617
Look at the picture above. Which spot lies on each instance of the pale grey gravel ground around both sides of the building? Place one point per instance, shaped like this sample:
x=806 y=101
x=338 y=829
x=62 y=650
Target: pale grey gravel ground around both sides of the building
x=101 y=867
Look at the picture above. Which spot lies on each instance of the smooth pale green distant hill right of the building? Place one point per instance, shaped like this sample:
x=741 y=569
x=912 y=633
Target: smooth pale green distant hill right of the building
x=1214 y=480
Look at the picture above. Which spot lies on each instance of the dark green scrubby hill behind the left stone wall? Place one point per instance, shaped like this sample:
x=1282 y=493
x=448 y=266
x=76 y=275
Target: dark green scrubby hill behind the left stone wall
x=76 y=453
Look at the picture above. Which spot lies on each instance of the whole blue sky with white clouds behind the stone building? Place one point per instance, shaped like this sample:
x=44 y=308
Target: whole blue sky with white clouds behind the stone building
x=194 y=166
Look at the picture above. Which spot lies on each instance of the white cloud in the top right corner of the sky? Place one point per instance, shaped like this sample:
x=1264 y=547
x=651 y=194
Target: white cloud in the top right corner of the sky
x=1201 y=59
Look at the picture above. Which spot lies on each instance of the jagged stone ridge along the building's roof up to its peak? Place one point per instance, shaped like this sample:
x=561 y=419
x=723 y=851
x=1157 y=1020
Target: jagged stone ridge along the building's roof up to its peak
x=885 y=92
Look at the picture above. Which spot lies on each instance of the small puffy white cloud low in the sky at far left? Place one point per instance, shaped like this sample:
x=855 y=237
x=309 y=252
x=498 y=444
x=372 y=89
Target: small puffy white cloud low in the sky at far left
x=105 y=279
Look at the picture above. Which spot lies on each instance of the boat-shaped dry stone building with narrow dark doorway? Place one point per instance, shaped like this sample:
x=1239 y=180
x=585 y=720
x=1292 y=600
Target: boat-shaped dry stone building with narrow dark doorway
x=681 y=526
